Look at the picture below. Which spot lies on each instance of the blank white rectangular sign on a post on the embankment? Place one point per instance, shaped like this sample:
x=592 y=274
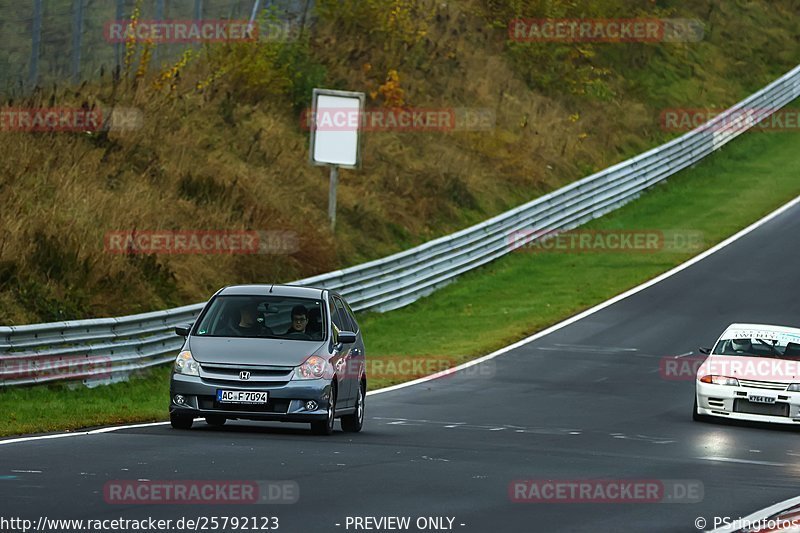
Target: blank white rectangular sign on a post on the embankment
x=335 y=140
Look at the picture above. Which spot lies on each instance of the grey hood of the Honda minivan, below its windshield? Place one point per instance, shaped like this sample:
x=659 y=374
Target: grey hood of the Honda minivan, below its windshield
x=243 y=351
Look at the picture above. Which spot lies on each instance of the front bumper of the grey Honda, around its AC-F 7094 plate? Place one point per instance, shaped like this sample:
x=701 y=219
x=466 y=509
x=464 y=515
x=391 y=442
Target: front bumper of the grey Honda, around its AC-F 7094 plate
x=286 y=402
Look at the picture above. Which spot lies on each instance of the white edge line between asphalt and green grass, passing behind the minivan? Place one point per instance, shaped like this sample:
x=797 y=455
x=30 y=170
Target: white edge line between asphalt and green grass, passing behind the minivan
x=580 y=316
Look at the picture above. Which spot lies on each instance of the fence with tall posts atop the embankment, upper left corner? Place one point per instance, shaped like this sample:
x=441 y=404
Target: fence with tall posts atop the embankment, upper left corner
x=48 y=41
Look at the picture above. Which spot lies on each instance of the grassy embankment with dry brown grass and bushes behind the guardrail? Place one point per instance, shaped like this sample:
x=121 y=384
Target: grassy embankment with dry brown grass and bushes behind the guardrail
x=221 y=146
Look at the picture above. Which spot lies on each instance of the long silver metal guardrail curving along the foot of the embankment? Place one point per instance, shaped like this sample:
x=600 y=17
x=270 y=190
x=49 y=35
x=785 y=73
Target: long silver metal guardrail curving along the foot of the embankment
x=108 y=349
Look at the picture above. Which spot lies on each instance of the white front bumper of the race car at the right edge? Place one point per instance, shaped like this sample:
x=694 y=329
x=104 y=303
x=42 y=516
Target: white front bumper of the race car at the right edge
x=724 y=401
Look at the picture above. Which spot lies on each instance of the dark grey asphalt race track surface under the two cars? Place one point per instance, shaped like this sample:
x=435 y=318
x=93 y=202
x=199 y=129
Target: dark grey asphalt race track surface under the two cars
x=585 y=402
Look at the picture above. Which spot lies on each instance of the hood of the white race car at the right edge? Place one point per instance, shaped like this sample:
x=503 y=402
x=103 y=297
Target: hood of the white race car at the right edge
x=752 y=368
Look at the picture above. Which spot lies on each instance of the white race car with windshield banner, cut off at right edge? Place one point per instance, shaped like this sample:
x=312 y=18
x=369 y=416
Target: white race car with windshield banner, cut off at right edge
x=752 y=373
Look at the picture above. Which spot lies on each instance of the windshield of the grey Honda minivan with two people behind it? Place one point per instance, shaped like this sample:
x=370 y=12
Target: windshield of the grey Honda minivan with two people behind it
x=263 y=317
